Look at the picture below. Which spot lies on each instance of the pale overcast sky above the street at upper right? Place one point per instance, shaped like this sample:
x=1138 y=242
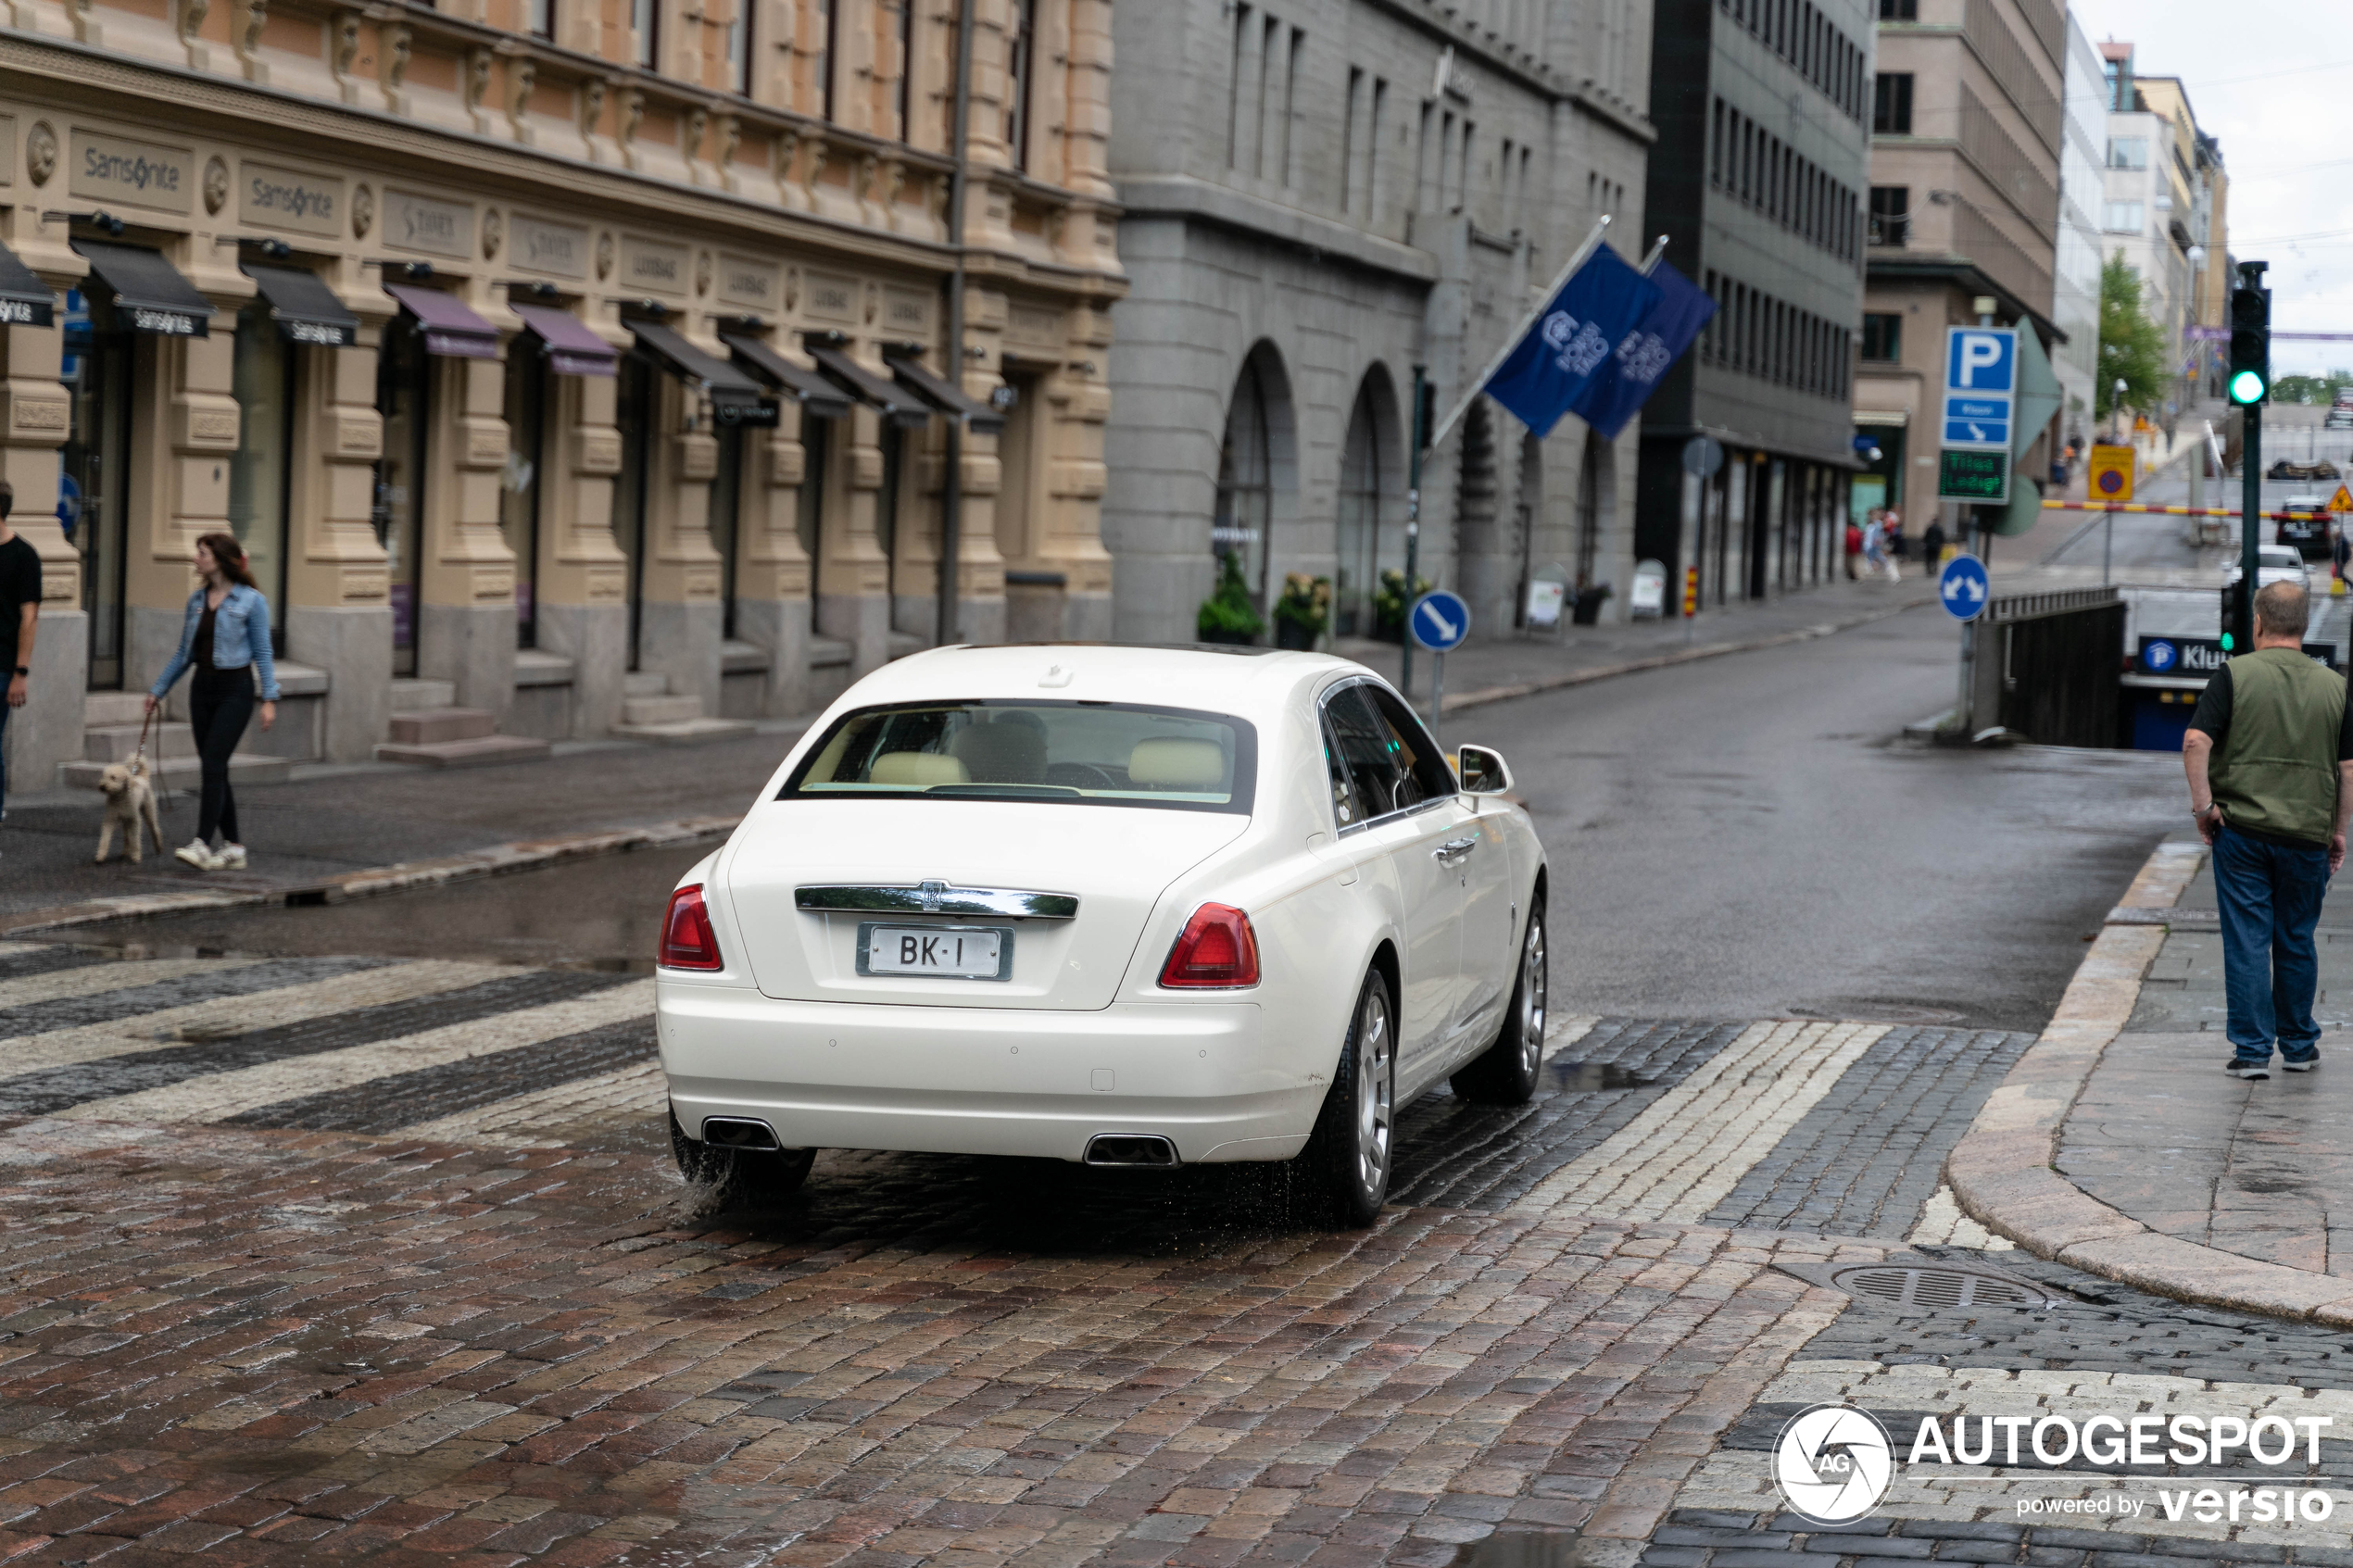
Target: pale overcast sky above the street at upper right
x=2274 y=83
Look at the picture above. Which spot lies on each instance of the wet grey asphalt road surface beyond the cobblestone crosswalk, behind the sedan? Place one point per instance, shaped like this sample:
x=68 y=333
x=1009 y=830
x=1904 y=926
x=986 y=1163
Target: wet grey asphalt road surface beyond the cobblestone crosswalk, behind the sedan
x=1740 y=838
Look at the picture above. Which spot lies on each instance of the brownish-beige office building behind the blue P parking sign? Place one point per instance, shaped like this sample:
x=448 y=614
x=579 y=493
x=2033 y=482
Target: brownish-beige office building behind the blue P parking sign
x=1966 y=135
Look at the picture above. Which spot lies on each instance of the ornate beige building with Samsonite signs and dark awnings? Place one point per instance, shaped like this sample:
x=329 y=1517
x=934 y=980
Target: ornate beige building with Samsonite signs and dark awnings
x=580 y=363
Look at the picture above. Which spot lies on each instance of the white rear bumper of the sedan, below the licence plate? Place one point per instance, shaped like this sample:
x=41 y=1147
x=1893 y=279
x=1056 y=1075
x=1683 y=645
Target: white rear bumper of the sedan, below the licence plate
x=985 y=1080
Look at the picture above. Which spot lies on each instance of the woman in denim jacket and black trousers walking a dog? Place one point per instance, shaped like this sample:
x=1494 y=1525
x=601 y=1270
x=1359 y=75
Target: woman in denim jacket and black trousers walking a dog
x=227 y=641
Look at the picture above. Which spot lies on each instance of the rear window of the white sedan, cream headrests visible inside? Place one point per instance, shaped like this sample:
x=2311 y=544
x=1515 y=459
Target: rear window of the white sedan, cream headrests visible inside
x=1081 y=753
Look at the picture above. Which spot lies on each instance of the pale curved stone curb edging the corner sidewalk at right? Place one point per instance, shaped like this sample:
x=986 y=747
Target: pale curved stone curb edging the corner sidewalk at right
x=2004 y=1172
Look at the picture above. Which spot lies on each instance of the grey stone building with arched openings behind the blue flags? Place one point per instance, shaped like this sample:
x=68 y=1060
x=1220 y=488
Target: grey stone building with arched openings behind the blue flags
x=1321 y=196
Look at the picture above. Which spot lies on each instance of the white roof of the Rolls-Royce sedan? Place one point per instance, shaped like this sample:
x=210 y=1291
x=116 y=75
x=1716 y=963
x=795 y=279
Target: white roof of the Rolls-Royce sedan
x=1246 y=683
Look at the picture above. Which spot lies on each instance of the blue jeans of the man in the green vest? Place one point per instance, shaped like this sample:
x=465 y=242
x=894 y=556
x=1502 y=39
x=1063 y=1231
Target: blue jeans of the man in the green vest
x=2269 y=906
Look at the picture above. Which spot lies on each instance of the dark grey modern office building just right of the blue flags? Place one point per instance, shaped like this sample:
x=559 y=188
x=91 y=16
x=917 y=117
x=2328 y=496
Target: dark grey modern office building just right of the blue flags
x=1759 y=185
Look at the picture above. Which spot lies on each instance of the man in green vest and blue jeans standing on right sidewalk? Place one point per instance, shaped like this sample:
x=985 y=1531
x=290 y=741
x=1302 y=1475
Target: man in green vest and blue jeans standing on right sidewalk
x=2269 y=756
